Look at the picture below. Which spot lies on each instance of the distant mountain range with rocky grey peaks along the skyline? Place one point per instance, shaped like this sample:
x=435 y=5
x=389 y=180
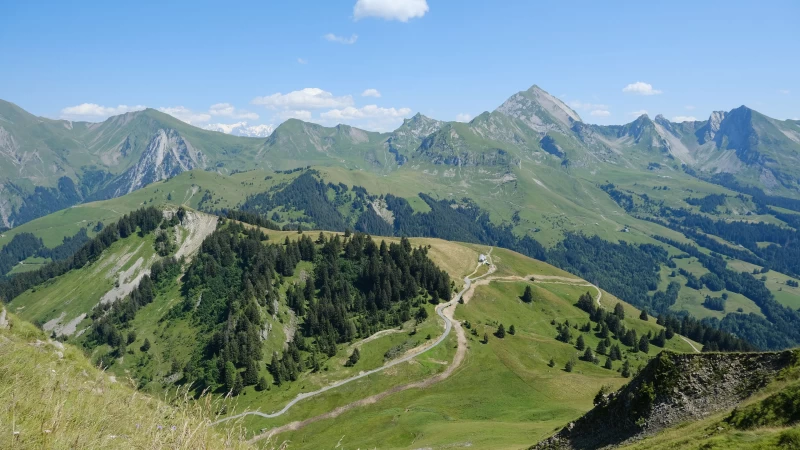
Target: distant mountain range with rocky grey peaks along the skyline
x=47 y=164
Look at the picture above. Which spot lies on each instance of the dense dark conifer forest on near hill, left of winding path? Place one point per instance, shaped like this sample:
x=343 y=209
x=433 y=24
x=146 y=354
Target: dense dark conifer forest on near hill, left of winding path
x=358 y=287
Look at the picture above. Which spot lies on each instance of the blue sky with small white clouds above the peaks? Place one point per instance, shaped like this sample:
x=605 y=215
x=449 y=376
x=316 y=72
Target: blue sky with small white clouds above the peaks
x=260 y=62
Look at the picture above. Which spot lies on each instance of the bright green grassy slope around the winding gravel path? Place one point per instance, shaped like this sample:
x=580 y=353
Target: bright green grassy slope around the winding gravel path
x=502 y=394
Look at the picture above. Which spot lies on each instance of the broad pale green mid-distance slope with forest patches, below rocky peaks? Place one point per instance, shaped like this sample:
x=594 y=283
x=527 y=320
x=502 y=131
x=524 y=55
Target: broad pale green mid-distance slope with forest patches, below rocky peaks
x=566 y=202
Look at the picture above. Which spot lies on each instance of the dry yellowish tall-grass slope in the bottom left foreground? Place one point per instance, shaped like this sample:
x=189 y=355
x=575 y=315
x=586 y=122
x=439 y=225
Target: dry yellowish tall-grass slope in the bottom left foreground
x=53 y=397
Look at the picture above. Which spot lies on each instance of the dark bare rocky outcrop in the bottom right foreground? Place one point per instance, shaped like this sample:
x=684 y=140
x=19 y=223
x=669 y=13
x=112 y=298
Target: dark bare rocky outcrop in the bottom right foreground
x=672 y=388
